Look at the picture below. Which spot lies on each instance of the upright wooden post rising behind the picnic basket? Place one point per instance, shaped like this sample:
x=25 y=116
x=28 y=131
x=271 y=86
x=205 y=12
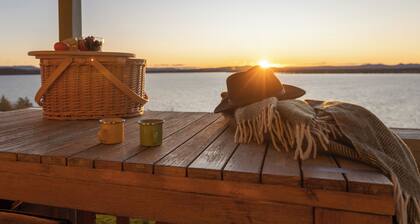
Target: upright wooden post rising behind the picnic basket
x=70 y=18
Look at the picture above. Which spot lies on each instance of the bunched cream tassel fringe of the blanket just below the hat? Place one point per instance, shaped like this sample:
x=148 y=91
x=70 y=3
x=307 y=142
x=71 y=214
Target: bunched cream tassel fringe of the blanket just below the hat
x=301 y=137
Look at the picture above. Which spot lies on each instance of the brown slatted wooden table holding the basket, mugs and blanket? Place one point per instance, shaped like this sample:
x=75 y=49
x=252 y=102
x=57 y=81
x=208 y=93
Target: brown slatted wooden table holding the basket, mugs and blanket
x=198 y=175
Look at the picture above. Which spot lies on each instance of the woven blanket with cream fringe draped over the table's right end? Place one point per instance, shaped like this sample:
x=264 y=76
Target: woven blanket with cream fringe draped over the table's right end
x=340 y=128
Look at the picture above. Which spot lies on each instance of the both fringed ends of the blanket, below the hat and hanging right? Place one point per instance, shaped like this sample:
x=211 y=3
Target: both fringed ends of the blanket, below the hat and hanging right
x=304 y=137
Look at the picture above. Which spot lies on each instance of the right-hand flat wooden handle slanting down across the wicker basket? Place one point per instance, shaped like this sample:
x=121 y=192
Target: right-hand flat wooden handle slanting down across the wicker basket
x=117 y=83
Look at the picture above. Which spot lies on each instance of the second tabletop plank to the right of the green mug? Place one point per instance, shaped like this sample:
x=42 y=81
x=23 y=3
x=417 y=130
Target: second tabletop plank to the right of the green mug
x=177 y=161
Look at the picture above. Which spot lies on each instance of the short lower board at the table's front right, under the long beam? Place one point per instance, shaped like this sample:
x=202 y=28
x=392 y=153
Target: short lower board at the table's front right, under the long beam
x=330 y=216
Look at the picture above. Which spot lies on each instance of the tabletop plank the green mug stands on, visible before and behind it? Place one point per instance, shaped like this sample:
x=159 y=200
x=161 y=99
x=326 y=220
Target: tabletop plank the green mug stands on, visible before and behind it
x=172 y=125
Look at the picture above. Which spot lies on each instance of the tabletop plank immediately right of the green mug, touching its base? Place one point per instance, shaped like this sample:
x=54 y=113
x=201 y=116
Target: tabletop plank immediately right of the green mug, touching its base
x=144 y=161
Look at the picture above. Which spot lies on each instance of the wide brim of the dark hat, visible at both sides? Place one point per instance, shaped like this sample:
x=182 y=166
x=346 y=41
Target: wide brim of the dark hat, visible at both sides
x=291 y=92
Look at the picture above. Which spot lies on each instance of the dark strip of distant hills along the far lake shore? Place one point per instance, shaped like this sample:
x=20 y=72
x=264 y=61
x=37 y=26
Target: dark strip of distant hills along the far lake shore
x=366 y=68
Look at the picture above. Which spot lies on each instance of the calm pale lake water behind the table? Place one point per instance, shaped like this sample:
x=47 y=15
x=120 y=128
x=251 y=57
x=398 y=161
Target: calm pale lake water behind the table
x=395 y=98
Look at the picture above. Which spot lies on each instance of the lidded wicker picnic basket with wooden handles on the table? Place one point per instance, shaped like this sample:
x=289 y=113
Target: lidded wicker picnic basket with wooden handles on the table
x=90 y=85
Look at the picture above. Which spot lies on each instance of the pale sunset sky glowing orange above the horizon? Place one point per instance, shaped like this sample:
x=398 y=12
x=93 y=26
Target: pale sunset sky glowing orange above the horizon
x=202 y=33
